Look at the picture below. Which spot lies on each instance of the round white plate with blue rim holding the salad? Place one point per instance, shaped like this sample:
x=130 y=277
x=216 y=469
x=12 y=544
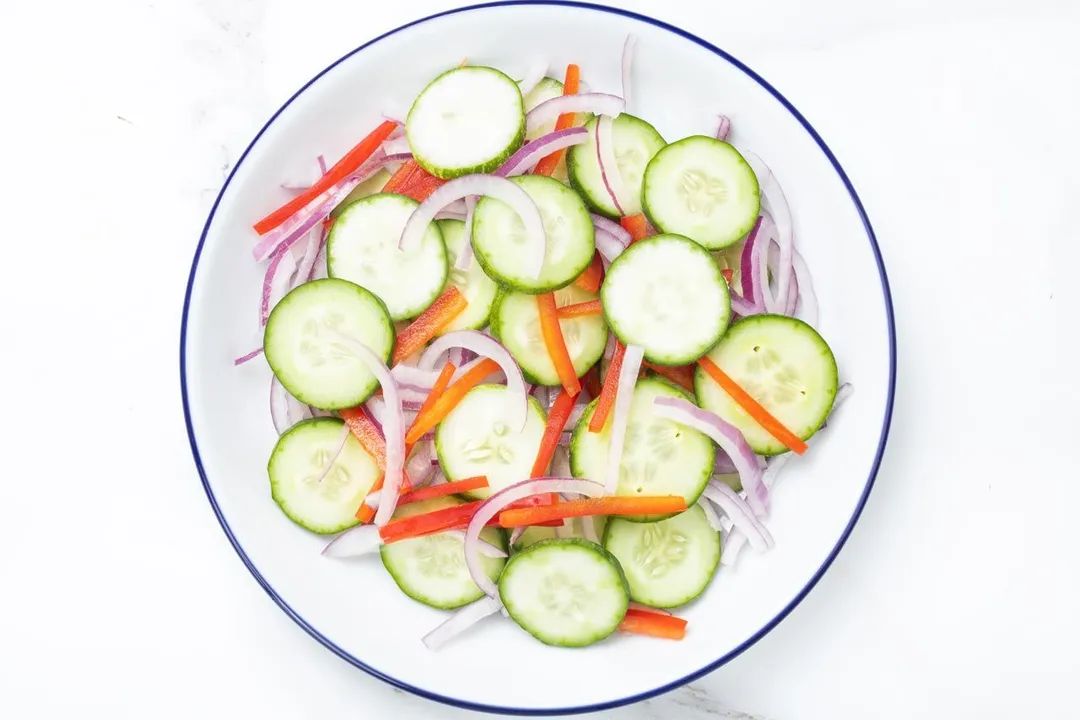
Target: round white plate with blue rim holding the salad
x=681 y=84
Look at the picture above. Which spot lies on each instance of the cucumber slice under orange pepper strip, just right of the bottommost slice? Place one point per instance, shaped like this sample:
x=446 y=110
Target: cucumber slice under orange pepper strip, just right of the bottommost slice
x=668 y=564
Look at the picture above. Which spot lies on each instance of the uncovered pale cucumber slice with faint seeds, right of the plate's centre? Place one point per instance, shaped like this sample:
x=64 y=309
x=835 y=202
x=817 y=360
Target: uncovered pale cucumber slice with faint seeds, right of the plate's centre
x=668 y=295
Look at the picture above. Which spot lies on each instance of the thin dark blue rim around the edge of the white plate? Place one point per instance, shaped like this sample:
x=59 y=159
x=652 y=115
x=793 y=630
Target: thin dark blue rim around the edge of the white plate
x=768 y=627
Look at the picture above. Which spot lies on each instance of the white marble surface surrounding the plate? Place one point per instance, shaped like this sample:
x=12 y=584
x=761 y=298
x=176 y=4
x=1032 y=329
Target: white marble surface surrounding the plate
x=957 y=594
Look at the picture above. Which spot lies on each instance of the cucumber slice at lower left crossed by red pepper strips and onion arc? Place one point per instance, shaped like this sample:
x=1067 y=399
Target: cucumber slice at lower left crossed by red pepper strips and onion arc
x=433 y=569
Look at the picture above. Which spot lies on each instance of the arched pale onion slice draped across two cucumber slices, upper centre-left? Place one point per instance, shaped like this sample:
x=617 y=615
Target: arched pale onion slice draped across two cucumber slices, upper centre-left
x=536 y=243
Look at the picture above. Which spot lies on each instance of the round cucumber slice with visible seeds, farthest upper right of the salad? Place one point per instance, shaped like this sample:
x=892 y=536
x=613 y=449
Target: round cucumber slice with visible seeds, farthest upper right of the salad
x=701 y=188
